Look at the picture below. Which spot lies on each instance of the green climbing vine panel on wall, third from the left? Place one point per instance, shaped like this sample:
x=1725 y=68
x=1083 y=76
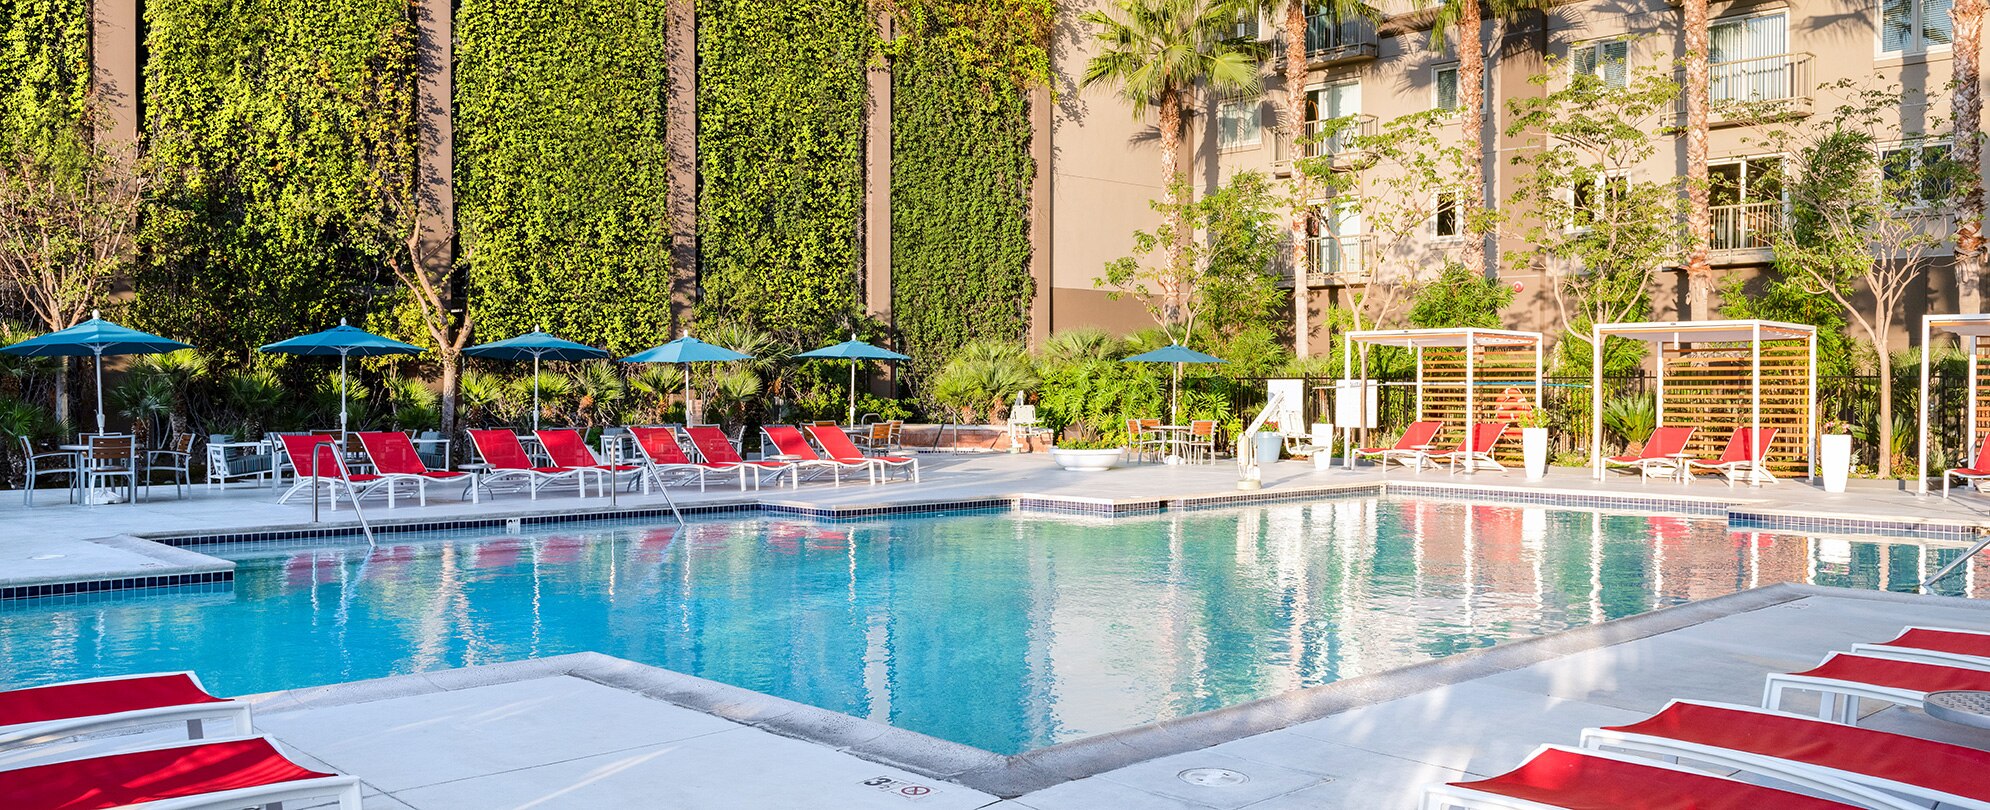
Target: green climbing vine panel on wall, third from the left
x=562 y=170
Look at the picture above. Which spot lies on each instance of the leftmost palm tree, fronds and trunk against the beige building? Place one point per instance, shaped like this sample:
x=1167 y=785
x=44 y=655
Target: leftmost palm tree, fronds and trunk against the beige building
x=1159 y=53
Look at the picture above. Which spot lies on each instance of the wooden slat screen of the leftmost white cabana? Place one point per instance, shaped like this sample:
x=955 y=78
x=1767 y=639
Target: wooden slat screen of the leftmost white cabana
x=1505 y=391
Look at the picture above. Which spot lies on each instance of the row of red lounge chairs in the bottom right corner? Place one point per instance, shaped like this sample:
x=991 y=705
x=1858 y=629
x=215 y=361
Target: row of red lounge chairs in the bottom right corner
x=1746 y=757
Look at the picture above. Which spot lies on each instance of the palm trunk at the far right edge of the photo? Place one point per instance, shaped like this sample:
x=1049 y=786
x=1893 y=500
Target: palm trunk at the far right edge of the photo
x=1965 y=150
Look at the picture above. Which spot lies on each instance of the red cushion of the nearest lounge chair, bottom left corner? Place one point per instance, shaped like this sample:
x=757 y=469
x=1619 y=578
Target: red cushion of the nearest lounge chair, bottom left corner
x=150 y=777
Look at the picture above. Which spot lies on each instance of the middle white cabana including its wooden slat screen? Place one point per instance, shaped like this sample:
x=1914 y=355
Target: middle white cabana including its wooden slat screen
x=1710 y=383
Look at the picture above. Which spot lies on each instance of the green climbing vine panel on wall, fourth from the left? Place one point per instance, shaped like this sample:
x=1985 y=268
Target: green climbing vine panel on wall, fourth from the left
x=781 y=162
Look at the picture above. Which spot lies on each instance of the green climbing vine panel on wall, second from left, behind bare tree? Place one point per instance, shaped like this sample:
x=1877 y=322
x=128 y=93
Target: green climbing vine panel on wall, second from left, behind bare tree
x=260 y=116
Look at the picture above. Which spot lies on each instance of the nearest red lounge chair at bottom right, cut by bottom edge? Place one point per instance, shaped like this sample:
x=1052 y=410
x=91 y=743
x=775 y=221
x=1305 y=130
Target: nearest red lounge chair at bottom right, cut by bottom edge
x=1573 y=779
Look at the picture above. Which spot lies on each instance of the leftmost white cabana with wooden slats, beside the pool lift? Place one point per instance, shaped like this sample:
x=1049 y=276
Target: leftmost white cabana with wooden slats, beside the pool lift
x=1466 y=361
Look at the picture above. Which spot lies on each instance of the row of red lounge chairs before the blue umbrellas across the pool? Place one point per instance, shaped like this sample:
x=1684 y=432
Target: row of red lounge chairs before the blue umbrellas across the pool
x=504 y=463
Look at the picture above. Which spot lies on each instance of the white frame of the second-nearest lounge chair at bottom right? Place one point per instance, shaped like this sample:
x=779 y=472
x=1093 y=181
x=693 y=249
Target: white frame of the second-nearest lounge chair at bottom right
x=1802 y=775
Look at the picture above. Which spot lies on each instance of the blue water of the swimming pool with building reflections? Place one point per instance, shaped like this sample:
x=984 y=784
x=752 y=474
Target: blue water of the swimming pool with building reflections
x=1004 y=632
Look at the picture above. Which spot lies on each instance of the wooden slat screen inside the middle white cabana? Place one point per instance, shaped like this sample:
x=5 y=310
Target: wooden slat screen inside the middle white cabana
x=1708 y=387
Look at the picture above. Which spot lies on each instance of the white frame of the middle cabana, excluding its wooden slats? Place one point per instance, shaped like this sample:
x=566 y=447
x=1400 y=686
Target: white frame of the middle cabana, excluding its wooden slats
x=1681 y=333
